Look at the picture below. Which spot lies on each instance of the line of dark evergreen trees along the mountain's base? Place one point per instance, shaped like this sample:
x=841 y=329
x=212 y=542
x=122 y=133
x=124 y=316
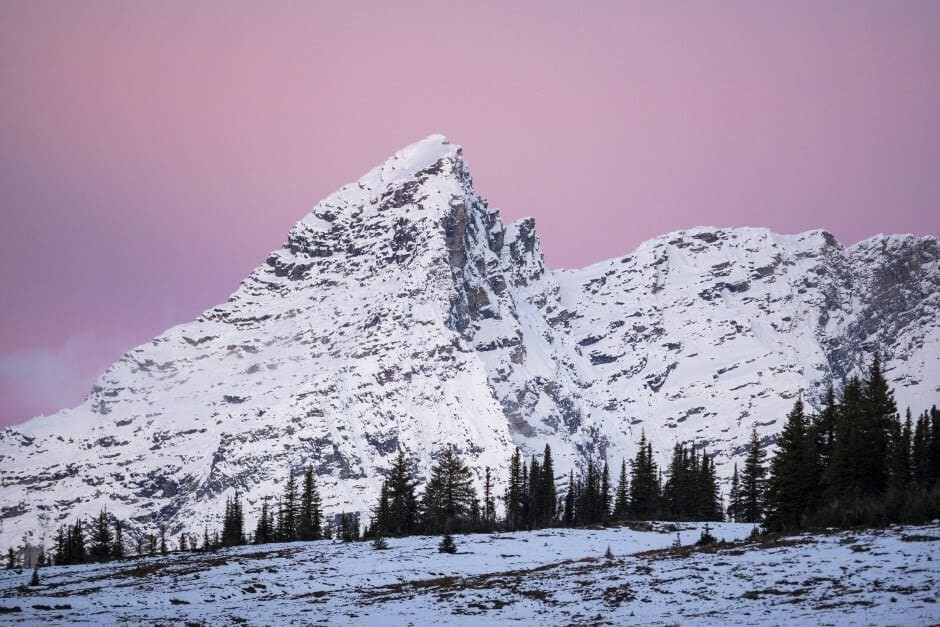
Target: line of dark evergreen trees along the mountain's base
x=853 y=463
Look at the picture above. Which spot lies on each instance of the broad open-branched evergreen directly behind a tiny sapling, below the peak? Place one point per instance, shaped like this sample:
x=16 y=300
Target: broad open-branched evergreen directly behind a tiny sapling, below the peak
x=449 y=494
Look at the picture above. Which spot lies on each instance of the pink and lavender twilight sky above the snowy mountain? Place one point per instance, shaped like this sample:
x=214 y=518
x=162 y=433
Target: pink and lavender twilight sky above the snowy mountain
x=152 y=154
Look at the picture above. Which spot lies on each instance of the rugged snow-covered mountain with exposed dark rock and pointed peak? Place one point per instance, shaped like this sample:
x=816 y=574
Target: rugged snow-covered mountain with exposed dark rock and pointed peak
x=402 y=312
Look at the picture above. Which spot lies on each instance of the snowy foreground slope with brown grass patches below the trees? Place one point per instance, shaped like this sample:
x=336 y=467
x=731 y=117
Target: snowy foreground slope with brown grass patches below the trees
x=547 y=577
